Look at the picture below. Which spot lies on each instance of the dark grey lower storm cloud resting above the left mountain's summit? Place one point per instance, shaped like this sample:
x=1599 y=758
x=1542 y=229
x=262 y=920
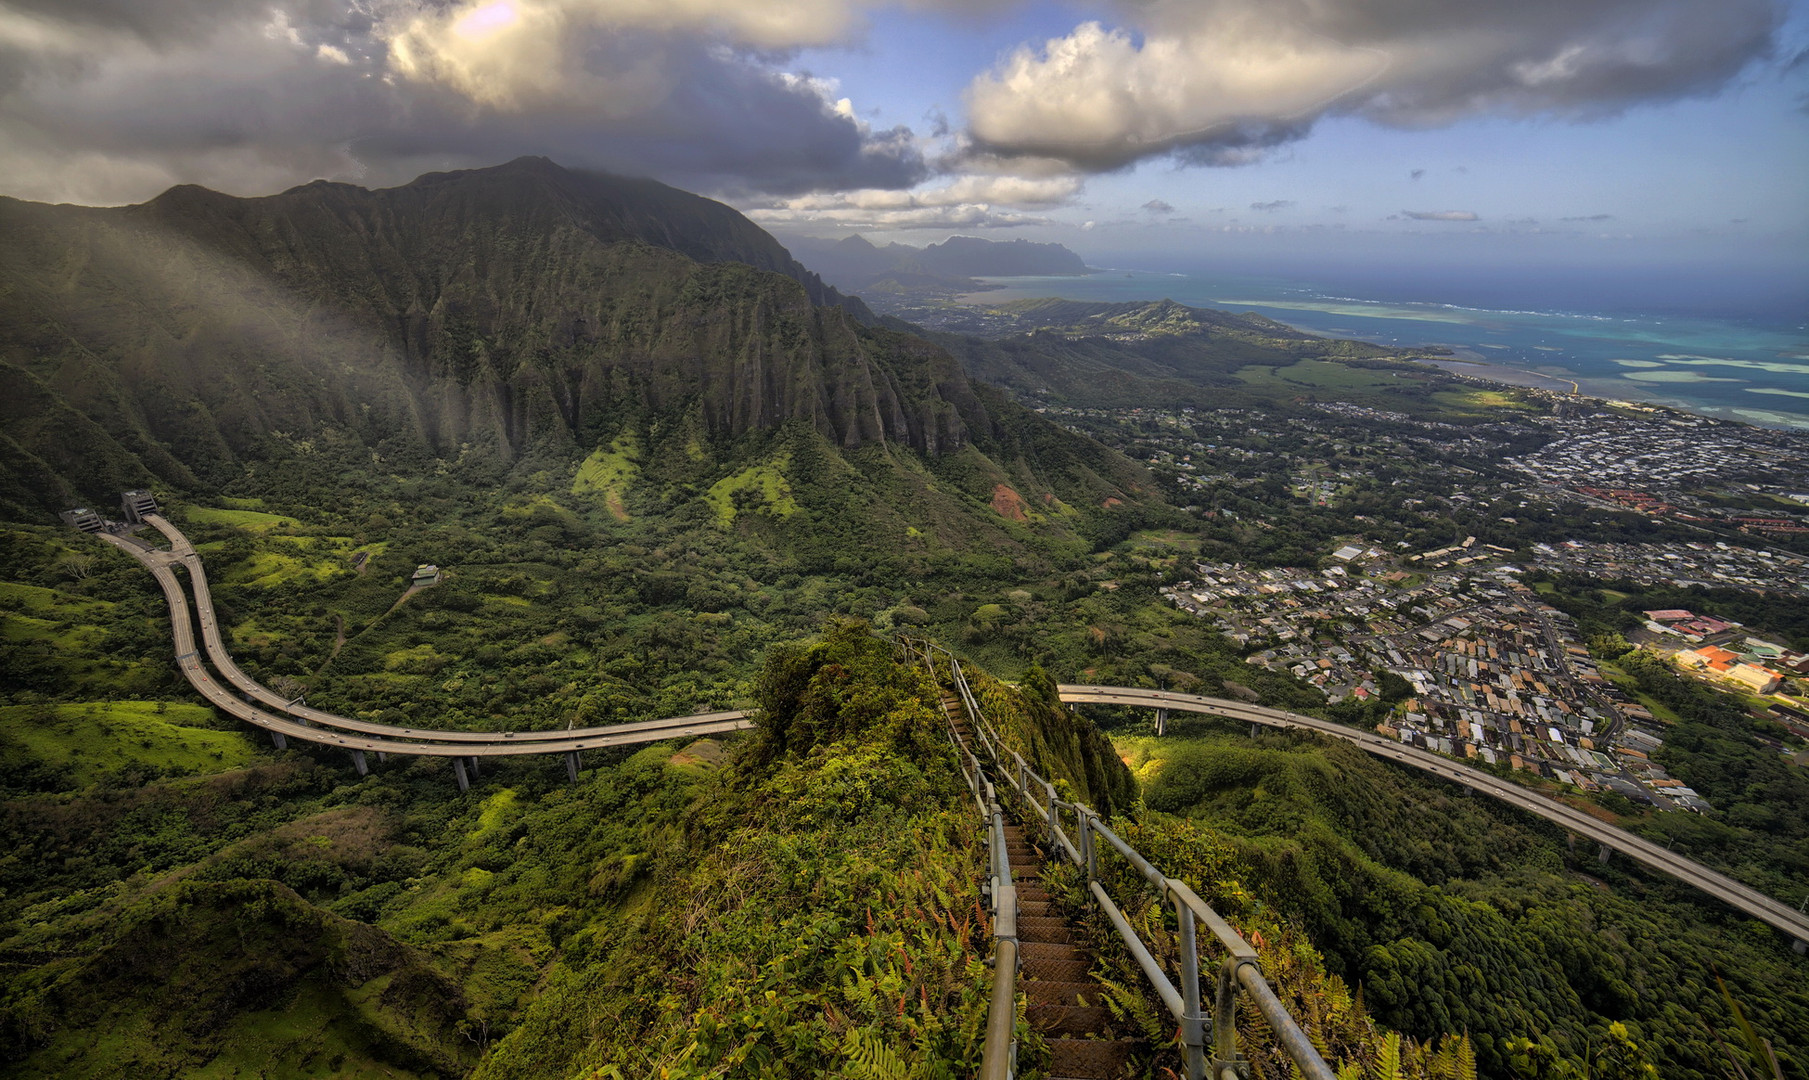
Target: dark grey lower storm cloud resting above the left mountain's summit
x=115 y=104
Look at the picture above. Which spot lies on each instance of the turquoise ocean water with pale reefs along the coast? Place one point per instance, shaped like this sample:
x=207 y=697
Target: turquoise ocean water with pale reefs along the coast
x=1741 y=370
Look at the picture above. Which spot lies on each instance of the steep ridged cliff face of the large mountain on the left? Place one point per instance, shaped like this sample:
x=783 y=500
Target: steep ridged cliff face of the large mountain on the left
x=511 y=312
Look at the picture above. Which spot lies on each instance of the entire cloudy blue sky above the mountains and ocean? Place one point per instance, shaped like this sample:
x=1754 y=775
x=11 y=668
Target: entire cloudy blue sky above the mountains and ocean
x=1432 y=133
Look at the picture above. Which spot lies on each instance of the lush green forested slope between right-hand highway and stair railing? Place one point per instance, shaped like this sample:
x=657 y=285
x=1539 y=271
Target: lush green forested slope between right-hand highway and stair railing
x=1457 y=914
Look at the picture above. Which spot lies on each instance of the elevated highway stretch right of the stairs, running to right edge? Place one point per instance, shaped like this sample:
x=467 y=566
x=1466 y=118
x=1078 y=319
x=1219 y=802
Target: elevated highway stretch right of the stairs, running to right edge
x=1642 y=851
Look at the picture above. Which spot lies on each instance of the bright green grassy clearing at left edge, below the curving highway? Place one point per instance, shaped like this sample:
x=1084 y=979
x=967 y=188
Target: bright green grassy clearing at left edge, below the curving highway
x=97 y=739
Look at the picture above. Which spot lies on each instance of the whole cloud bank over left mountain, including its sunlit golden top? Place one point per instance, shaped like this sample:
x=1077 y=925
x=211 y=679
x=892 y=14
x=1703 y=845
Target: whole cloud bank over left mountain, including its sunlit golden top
x=113 y=100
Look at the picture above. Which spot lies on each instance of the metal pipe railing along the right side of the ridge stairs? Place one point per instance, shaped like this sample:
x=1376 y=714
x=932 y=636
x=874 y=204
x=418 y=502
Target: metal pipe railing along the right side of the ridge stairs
x=1238 y=972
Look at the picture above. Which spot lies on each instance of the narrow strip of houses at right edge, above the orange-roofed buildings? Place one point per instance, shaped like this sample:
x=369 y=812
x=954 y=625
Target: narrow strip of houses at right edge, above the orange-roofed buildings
x=1714 y=565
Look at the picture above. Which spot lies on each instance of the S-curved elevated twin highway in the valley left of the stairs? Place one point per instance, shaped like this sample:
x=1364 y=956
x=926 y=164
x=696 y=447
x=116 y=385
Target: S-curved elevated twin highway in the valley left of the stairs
x=359 y=735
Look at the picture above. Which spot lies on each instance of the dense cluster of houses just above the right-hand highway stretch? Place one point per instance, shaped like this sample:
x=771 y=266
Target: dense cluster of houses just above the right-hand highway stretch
x=1495 y=676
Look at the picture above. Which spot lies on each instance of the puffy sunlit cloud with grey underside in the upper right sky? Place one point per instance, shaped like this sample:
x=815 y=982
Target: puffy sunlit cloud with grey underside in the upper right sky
x=1222 y=82
